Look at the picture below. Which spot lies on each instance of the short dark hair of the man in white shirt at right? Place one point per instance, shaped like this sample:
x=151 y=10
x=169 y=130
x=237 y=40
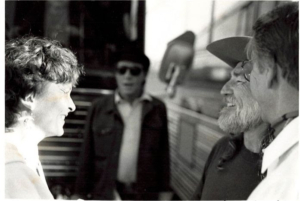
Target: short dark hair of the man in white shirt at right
x=276 y=35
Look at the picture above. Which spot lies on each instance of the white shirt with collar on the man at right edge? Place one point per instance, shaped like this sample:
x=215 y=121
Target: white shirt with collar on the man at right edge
x=281 y=160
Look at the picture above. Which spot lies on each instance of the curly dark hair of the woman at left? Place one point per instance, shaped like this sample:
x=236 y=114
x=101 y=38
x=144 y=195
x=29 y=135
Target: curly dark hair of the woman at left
x=29 y=63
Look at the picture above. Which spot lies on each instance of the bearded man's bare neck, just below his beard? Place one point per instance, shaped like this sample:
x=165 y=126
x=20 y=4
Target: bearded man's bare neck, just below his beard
x=253 y=137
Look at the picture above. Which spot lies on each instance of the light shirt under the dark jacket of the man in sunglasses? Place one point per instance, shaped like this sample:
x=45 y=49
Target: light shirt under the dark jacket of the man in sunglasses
x=131 y=115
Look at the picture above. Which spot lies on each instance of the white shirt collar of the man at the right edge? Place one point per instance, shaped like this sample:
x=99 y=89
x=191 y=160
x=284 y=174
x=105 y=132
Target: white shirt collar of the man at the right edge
x=288 y=137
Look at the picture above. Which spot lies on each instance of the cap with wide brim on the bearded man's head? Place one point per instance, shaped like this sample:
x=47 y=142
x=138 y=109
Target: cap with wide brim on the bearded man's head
x=231 y=50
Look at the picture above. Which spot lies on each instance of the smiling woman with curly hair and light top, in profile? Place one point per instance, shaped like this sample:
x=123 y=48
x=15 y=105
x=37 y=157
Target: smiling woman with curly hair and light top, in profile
x=39 y=76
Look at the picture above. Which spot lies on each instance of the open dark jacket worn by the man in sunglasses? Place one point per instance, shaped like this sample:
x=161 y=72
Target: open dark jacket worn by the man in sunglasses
x=102 y=142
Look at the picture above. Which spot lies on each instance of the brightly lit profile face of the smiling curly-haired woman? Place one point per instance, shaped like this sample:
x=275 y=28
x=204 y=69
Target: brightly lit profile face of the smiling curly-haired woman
x=52 y=105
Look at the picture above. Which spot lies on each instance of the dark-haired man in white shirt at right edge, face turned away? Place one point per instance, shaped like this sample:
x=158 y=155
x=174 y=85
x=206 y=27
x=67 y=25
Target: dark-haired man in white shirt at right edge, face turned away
x=274 y=82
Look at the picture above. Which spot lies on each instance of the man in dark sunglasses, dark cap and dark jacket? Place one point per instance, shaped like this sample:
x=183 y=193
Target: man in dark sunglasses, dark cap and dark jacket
x=126 y=148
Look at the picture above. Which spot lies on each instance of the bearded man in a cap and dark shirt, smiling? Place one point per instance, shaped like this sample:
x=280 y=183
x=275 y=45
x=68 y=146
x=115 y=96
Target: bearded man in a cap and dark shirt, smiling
x=232 y=169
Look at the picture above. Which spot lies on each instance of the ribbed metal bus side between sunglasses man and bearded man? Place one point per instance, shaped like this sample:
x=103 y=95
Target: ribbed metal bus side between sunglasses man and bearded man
x=187 y=164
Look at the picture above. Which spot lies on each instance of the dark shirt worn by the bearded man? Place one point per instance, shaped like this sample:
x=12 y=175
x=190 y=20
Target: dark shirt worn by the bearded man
x=236 y=179
